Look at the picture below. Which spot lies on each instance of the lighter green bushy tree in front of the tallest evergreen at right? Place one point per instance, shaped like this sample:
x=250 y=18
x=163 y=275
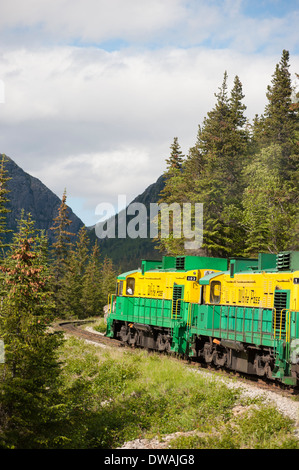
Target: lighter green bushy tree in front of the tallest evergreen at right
x=268 y=209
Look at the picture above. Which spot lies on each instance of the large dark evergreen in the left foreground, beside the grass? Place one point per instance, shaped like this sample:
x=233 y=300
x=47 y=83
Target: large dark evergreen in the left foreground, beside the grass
x=29 y=375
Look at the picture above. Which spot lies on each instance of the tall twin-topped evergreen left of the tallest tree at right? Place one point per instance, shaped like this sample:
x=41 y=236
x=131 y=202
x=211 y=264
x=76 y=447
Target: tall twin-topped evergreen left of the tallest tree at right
x=220 y=155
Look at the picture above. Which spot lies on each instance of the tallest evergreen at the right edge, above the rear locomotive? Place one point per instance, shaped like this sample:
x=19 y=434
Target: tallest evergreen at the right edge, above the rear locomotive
x=275 y=139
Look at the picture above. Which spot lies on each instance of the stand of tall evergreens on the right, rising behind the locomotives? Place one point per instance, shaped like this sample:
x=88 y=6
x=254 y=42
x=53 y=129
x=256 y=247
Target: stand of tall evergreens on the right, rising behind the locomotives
x=245 y=173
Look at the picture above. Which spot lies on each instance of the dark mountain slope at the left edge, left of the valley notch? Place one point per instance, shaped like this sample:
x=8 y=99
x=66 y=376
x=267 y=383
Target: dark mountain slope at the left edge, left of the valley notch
x=30 y=194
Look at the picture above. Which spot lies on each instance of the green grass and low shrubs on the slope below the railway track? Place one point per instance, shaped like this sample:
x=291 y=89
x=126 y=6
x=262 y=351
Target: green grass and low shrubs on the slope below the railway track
x=112 y=396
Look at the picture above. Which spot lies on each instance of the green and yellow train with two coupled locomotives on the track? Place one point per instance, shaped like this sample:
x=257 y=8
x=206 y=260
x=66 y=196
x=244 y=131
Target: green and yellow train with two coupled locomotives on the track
x=235 y=313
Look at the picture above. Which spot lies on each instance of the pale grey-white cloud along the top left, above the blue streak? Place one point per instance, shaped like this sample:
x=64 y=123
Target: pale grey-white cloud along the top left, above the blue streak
x=93 y=20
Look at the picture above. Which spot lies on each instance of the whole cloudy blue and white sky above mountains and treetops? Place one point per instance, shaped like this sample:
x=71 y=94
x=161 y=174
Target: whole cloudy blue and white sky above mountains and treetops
x=93 y=92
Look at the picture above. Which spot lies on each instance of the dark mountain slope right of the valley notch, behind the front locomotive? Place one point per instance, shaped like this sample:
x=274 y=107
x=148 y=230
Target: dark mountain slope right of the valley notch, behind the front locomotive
x=127 y=253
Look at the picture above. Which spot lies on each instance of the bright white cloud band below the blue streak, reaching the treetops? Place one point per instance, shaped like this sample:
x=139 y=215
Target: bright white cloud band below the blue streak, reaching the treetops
x=118 y=88
